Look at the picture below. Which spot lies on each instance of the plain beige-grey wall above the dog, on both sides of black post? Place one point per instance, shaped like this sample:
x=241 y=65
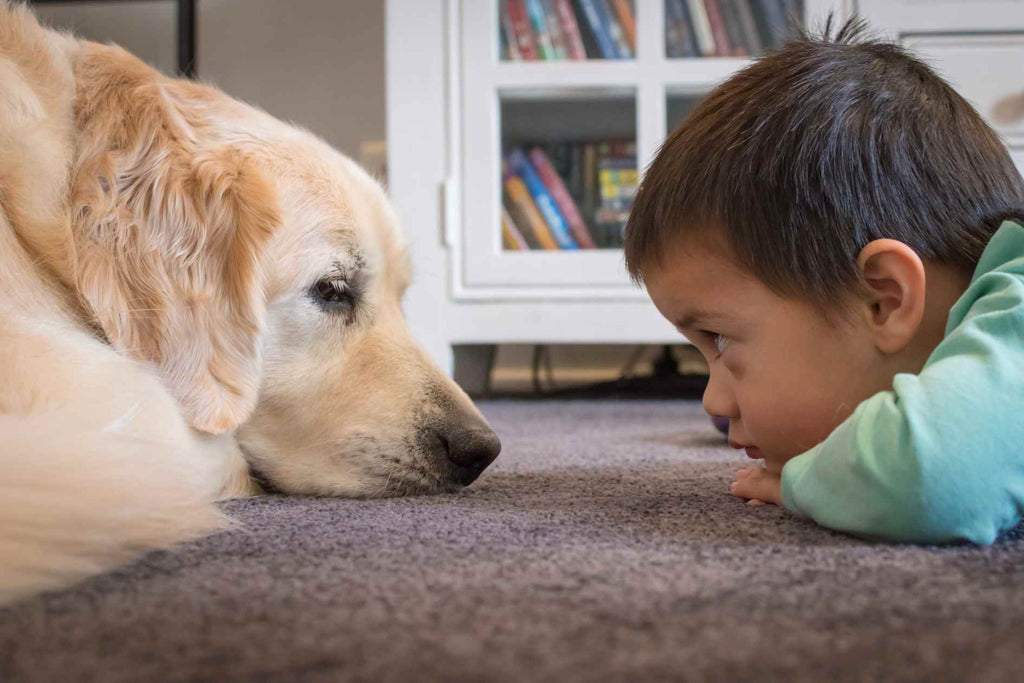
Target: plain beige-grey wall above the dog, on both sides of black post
x=317 y=63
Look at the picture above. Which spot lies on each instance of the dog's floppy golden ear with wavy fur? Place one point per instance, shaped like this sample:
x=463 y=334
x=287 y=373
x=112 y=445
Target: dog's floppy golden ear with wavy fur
x=169 y=237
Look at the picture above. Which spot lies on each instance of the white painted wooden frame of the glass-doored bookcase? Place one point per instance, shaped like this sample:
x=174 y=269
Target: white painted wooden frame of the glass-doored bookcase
x=447 y=93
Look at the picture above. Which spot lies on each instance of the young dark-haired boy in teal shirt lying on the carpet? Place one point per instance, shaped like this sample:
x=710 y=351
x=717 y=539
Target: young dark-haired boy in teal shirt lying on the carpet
x=833 y=229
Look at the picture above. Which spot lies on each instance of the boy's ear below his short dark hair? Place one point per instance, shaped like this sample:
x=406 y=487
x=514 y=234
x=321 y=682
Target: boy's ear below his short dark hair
x=893 y=300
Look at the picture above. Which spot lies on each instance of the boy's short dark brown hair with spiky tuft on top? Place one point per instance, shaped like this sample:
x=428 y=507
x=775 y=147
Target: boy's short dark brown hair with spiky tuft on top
x=818 y=149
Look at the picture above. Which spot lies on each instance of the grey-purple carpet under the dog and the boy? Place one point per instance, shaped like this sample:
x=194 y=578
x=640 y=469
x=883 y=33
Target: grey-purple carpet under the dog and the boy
x=603 y=546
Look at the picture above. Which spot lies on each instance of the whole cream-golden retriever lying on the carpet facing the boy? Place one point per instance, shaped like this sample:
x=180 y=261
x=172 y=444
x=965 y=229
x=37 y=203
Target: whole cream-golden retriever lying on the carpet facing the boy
x=197 y=300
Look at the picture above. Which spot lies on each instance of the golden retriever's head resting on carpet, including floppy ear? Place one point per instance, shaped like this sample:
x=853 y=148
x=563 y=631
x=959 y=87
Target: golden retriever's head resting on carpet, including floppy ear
x=262 y=273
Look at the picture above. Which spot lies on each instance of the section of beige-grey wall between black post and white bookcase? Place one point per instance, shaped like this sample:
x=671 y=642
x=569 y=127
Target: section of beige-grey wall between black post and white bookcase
x=317 y=63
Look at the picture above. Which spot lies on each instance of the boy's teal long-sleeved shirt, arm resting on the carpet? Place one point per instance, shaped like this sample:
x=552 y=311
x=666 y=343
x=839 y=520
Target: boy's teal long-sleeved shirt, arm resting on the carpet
x=941 y=457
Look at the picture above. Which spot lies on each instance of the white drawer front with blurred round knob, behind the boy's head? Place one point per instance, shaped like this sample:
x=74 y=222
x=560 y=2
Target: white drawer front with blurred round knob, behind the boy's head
x=988 y=70
